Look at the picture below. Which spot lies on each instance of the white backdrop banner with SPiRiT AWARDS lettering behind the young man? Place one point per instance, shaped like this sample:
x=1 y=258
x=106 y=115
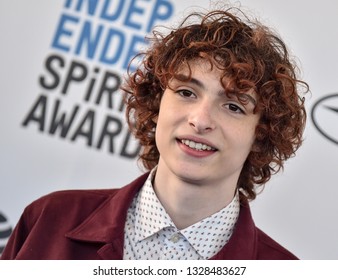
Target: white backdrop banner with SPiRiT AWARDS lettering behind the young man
x=62 y=116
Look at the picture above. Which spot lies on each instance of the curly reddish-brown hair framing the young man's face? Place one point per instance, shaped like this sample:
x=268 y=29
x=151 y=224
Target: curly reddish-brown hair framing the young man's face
x=251 y=58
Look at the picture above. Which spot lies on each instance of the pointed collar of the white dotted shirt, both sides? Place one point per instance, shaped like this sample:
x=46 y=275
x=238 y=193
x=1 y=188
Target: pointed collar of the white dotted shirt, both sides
x=151 y=217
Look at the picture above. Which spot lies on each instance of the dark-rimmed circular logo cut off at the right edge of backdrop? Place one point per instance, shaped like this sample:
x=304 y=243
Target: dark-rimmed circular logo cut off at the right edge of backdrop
x=324 y=116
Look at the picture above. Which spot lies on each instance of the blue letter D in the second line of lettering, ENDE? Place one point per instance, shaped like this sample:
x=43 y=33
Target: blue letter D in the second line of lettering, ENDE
x=118 y=38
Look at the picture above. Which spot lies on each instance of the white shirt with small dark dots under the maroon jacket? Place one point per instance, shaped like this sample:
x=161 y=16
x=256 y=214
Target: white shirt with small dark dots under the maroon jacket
x=150 y=233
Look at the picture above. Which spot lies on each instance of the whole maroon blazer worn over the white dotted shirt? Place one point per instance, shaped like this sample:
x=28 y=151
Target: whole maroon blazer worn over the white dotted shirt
x=89 y=224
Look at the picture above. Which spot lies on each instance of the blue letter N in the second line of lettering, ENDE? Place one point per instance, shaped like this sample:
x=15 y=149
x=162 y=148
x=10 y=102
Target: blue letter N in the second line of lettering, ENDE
x=87 y=38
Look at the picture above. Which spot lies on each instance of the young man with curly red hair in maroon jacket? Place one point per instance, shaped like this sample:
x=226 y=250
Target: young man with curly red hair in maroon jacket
x=217 y=109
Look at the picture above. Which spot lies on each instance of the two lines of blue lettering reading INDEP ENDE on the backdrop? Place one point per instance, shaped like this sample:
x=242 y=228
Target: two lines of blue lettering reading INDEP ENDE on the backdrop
x=106 y=43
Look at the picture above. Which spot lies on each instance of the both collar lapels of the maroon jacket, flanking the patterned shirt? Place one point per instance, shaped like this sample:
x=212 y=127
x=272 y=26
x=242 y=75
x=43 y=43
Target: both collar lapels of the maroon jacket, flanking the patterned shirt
x=106 y=225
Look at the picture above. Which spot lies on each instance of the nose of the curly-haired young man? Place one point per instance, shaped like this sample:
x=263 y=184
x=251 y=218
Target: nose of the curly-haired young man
x=201 y=117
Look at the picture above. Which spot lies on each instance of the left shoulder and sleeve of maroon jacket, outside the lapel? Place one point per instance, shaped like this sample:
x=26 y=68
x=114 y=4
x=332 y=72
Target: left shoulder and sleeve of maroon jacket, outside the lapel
x=47 y=219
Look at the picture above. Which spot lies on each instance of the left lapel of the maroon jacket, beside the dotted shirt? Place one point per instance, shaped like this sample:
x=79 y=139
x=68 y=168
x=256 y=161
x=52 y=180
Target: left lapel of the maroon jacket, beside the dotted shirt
x=106 y=224
